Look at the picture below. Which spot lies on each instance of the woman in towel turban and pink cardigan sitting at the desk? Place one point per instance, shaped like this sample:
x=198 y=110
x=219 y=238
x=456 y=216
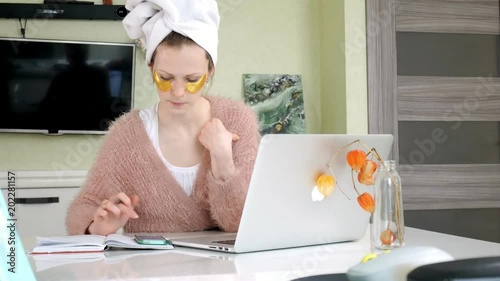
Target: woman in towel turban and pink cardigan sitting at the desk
x=185 y=163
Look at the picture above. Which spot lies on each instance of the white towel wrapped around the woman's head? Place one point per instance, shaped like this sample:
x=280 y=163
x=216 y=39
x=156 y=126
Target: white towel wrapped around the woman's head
x=152 y=20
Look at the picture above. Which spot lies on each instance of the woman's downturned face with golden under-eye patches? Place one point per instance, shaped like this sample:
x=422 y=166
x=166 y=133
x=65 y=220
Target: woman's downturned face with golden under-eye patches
x=180 y=66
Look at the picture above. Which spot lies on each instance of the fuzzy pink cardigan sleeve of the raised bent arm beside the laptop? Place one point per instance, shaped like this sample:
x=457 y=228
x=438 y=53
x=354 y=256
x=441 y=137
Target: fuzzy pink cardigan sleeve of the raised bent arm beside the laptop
x=227 y=198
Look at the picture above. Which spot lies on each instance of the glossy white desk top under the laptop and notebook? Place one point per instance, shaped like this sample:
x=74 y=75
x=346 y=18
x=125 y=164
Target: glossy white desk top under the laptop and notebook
x=288 y=264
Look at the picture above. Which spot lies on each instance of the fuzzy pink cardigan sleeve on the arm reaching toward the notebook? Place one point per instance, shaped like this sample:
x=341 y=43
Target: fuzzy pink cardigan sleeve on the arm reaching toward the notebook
x=103 y=180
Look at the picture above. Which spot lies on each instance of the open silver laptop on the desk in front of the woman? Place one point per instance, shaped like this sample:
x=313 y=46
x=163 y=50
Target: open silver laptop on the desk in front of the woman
x=279 y=211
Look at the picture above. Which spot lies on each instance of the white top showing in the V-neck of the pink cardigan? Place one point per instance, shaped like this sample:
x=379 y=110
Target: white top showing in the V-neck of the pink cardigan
x=185 y=176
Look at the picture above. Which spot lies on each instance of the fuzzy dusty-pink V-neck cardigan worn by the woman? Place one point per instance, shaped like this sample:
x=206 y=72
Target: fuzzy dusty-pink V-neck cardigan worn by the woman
x=128 y=162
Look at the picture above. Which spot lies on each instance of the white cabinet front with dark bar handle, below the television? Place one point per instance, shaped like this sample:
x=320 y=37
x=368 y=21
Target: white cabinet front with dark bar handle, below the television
x=41 y=211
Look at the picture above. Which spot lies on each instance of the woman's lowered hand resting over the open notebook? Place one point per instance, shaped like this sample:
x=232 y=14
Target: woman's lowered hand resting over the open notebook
x=113 y=214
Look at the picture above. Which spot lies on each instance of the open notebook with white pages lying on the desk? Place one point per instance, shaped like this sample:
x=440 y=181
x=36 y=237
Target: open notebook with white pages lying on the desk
x=89 y=243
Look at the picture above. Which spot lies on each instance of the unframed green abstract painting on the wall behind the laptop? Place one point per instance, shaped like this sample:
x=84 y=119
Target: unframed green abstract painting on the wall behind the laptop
x=278 y=101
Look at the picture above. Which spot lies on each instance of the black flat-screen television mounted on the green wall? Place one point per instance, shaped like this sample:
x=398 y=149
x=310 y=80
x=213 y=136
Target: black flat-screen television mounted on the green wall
x=64 y=87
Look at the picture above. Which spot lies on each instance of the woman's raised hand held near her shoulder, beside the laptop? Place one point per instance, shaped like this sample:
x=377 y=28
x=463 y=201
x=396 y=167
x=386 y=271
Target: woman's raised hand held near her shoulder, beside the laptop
x=219 y=141
